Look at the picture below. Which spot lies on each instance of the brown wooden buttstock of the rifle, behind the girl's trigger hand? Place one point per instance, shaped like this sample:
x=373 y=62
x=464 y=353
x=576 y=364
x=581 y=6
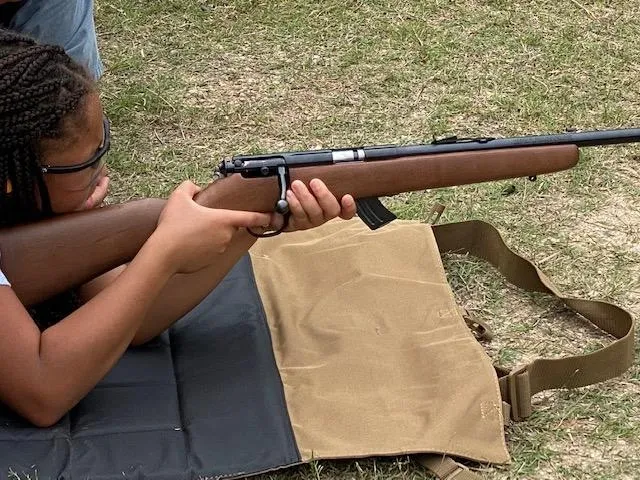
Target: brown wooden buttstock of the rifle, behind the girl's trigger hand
x=51 y=256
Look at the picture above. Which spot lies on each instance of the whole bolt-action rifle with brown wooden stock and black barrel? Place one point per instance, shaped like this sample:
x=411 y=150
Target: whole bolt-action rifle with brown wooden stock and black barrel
x=80 y=246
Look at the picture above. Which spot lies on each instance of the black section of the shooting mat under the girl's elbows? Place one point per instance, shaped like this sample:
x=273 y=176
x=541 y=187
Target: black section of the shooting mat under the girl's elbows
x=204 y=400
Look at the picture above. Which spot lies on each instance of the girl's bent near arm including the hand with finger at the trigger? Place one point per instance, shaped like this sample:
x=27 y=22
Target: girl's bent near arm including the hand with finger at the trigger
x=43 y=375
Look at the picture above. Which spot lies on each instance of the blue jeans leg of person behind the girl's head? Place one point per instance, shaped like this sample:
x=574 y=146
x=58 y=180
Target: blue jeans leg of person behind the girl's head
x=67 y=23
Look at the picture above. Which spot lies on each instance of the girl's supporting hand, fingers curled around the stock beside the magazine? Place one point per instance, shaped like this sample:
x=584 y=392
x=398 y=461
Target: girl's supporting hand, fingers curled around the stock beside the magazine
x=311 y=207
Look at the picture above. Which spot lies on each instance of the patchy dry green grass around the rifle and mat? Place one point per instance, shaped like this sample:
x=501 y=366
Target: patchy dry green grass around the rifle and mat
x=190 y=82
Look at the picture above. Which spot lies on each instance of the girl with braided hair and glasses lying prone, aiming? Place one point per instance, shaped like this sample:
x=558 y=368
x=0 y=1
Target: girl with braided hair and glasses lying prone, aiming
x=53 y=141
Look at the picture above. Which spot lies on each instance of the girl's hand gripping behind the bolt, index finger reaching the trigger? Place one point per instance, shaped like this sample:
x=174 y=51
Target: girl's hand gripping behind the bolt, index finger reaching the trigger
x=191 y=236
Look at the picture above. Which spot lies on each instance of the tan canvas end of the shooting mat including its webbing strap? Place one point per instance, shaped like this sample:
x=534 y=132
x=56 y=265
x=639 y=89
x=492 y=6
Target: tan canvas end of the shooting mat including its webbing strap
x=376 y=358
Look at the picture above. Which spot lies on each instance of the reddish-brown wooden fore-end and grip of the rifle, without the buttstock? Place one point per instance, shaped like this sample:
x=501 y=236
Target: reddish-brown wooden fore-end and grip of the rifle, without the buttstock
x=390 y=177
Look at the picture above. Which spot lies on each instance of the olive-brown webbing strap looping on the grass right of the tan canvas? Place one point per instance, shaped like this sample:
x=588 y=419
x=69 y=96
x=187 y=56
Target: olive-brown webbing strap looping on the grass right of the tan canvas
x=482 y=240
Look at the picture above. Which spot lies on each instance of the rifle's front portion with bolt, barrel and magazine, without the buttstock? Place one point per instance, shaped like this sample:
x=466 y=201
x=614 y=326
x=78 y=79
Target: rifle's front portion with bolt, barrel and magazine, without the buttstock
x=371 y=172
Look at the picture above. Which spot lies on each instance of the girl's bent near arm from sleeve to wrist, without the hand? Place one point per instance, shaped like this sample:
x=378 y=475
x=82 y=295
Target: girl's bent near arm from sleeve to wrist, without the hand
x=43 y=375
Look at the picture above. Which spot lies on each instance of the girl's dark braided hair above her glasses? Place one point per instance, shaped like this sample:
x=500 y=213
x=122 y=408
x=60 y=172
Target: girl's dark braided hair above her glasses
x=40 y=86
